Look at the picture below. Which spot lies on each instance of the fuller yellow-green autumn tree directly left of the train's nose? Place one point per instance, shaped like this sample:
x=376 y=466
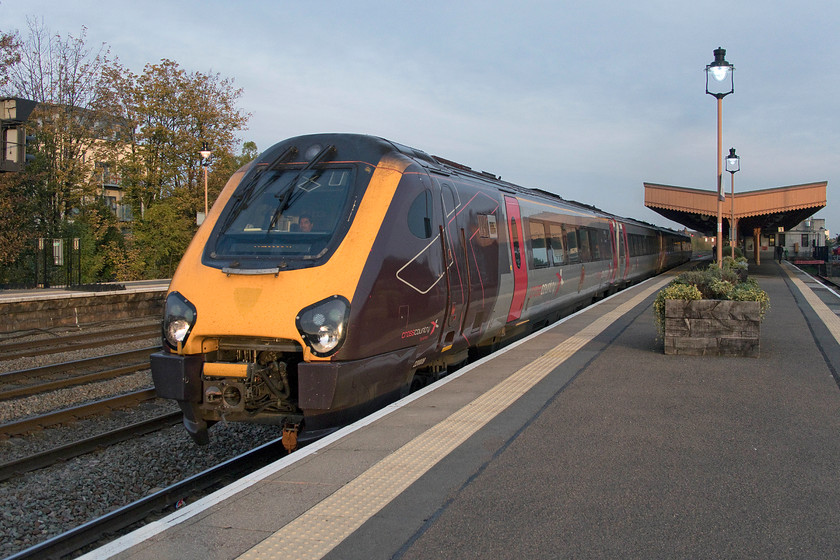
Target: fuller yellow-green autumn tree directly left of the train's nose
x=171 y=113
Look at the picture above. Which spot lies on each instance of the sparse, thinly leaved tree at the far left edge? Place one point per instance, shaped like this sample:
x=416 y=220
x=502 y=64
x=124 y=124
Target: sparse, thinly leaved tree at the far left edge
x=64 y=76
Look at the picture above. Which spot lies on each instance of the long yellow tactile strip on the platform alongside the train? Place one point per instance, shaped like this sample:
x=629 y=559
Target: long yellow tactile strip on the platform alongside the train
x=319 y=530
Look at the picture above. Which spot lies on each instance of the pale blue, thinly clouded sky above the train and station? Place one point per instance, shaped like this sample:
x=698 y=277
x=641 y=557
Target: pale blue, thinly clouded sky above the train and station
x=588 y=100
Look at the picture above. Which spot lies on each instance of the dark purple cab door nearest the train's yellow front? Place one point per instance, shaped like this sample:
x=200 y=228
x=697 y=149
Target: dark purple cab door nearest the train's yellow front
x=453 y=236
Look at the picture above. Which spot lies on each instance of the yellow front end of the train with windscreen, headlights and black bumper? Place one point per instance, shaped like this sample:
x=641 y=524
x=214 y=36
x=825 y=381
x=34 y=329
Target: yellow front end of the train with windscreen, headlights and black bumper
x=256 y=324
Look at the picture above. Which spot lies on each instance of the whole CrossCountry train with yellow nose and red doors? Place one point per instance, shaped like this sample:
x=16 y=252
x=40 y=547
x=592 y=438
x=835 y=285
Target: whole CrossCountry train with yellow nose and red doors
x=336 y=273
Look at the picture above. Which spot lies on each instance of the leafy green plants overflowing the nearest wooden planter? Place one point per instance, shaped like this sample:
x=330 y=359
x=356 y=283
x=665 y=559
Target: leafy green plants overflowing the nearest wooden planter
x=729 y=282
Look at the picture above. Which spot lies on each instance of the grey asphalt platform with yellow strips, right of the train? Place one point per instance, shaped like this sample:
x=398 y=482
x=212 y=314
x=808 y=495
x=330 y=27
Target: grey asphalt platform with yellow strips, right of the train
x=582 y=441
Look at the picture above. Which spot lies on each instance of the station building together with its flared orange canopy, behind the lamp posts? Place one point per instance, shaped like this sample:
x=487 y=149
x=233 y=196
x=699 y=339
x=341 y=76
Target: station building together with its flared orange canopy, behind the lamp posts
x=763 y=219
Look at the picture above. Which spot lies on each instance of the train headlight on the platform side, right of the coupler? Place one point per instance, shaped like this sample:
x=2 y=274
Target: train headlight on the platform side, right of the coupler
x=324 y=325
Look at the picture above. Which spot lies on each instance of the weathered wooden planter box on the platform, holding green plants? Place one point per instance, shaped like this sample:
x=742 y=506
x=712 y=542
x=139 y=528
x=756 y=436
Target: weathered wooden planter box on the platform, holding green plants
x=711 y=327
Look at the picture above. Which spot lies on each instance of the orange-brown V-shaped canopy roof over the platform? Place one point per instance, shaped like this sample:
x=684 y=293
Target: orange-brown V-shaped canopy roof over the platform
x=766 y=210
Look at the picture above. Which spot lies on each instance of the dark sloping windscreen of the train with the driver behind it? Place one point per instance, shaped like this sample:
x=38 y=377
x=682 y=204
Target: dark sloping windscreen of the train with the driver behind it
x=284 y=213
